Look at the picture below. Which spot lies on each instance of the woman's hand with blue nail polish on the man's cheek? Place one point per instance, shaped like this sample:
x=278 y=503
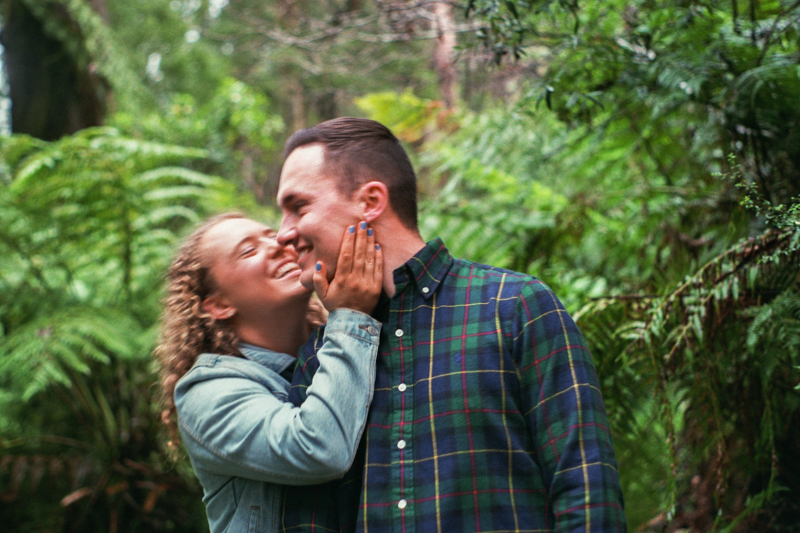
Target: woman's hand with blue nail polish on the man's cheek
x=359 y=273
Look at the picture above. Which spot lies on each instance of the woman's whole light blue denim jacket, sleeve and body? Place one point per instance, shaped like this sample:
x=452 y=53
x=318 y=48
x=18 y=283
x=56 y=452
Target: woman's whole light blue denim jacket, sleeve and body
x=244 y=439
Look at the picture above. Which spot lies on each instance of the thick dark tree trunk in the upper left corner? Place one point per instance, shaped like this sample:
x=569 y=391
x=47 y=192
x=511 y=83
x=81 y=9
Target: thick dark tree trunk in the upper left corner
x=50 y=95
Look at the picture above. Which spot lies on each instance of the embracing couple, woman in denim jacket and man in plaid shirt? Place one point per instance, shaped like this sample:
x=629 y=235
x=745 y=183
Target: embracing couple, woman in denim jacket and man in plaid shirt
x=452 y=396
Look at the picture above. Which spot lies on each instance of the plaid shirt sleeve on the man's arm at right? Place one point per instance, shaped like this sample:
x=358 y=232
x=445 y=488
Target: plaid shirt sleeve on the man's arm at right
x=564 y=410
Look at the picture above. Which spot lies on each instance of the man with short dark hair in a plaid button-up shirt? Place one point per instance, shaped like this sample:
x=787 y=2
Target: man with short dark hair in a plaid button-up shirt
x=487 y=414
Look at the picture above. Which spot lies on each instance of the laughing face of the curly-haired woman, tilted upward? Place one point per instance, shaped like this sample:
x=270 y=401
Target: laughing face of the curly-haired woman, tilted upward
x=253 y=276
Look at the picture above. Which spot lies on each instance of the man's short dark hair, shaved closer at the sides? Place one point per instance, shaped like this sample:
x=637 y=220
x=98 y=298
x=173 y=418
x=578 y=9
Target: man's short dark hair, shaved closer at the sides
x=359 y=150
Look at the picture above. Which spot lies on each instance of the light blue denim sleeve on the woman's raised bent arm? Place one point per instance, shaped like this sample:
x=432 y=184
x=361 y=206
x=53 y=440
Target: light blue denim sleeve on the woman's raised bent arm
x=233 y=424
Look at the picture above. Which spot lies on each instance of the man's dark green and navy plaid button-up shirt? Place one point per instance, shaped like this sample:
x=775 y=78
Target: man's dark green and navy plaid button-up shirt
x=487 y=414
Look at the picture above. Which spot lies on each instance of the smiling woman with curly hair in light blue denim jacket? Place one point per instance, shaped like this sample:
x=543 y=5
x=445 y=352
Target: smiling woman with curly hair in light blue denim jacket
x=235 y=316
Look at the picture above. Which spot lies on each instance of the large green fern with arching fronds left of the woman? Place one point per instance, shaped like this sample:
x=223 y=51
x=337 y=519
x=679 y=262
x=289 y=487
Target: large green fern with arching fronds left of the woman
x=87 y=226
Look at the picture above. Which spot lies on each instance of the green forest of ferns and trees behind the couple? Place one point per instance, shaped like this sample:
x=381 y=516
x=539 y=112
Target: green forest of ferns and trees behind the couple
x=640 y=157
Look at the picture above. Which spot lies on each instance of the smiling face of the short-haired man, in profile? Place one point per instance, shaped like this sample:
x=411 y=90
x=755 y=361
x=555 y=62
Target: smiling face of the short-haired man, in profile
x=315 y=214
